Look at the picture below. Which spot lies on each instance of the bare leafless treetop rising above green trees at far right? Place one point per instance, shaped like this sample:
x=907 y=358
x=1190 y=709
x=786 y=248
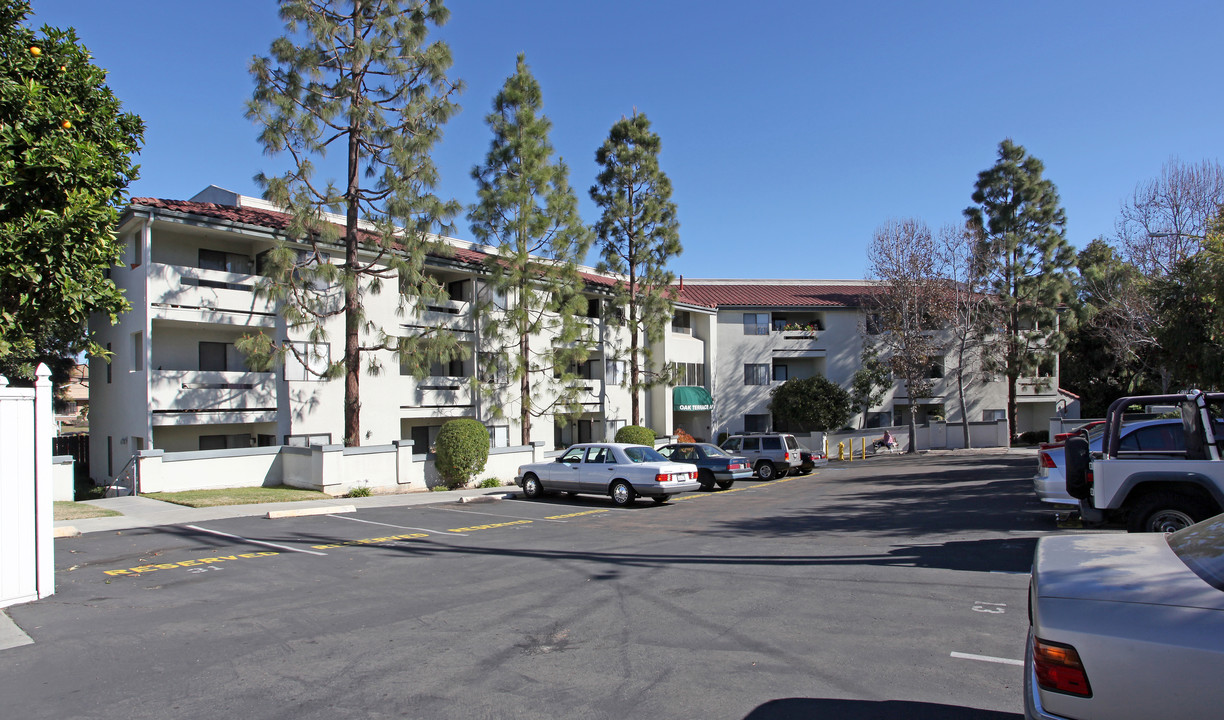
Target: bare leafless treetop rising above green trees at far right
x=1166 y=220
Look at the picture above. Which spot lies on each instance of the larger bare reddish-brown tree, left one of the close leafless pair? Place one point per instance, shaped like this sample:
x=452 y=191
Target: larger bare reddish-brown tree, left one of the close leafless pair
x=910 y=308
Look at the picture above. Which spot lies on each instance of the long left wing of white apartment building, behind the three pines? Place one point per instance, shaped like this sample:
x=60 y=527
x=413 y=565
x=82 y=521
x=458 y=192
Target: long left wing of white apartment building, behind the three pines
x=178 y=384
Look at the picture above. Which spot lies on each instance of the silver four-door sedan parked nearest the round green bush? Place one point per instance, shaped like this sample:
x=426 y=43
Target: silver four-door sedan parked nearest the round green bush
x=620 y=471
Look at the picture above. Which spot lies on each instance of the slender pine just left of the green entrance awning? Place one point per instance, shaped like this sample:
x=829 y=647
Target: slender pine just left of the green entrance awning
x=638 y=233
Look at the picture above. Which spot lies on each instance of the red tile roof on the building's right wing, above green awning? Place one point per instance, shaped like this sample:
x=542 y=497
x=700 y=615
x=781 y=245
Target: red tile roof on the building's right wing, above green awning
x=784 y=294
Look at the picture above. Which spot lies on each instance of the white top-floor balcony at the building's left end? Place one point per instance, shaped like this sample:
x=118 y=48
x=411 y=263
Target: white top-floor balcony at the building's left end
x=201 y=296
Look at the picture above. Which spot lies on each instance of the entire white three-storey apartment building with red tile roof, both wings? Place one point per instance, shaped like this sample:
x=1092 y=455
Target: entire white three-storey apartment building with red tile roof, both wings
x=192 y=270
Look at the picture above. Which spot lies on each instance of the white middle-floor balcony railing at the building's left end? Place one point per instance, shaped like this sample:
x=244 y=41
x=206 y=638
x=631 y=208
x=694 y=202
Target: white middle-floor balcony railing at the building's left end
x=188 y=391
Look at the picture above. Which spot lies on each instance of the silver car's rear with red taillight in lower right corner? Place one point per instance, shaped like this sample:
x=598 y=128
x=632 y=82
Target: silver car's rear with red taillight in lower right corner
x=1128 y=626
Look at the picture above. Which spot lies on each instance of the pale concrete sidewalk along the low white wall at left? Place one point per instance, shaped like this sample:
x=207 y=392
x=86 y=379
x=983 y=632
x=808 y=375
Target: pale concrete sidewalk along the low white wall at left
x=146 y=512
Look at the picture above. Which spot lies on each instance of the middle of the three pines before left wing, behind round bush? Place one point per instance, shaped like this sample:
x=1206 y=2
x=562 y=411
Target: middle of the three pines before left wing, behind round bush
x=529 y=214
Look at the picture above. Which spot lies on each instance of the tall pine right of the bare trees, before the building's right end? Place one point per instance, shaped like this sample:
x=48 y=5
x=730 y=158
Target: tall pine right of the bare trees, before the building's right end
x=1028 y=260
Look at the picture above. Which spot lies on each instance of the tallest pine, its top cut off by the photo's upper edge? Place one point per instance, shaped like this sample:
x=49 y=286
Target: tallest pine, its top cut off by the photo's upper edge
x=356 y=77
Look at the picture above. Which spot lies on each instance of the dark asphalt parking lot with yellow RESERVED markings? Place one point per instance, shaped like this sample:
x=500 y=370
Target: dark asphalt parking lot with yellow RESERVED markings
x=888 y=588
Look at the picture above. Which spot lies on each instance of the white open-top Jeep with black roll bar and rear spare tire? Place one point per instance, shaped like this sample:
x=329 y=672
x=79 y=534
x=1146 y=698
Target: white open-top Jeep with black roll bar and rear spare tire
x=1157 y=489
